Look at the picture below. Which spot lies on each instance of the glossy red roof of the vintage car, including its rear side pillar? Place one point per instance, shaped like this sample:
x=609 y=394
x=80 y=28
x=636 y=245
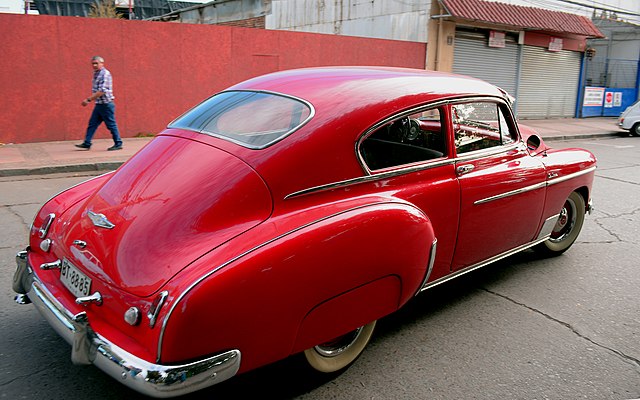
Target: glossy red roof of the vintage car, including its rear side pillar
x=347 y=101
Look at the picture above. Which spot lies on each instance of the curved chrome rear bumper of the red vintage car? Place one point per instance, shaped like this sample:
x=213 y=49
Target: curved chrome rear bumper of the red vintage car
x=89 y=347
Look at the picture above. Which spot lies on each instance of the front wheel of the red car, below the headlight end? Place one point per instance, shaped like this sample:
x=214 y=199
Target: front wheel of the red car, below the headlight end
x=567 y=228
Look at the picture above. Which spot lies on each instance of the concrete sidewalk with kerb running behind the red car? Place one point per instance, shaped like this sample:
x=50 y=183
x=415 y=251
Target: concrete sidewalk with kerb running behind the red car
x=56 y=157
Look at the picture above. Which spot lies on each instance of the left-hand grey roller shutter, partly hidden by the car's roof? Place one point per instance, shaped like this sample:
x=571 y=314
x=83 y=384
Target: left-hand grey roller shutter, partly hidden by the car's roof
x=473 y=57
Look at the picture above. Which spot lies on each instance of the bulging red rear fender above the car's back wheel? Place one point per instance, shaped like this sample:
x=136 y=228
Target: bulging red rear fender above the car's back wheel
x=374 y=254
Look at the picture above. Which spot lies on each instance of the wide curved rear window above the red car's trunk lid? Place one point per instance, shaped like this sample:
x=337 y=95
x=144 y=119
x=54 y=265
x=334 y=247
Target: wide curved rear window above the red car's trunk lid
x=251 y=119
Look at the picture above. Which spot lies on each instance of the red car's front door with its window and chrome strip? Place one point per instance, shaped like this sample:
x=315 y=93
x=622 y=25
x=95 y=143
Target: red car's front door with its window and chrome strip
x=502 y=188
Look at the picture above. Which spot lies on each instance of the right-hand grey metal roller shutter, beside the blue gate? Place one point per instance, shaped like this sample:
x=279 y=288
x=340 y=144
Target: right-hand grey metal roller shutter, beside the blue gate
x=548 y=83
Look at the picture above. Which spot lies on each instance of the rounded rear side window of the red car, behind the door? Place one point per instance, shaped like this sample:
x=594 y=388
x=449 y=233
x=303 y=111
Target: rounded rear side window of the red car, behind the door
x=410 y=139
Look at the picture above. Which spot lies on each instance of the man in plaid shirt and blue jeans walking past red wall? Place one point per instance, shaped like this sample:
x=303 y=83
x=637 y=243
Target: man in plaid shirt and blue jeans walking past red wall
x=104 y=110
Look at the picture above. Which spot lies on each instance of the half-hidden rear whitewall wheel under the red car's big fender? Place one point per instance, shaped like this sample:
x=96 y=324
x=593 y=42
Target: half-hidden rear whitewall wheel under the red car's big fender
x=338 y=353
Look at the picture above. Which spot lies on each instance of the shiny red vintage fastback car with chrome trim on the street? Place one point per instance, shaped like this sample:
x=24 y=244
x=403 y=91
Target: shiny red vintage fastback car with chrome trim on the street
x=286 y=215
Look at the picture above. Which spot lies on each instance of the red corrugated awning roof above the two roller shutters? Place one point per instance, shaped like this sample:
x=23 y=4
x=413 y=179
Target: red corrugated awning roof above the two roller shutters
x=521 y=17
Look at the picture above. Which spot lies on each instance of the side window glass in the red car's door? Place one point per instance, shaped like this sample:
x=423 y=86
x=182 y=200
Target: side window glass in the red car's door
x=480 y=125
